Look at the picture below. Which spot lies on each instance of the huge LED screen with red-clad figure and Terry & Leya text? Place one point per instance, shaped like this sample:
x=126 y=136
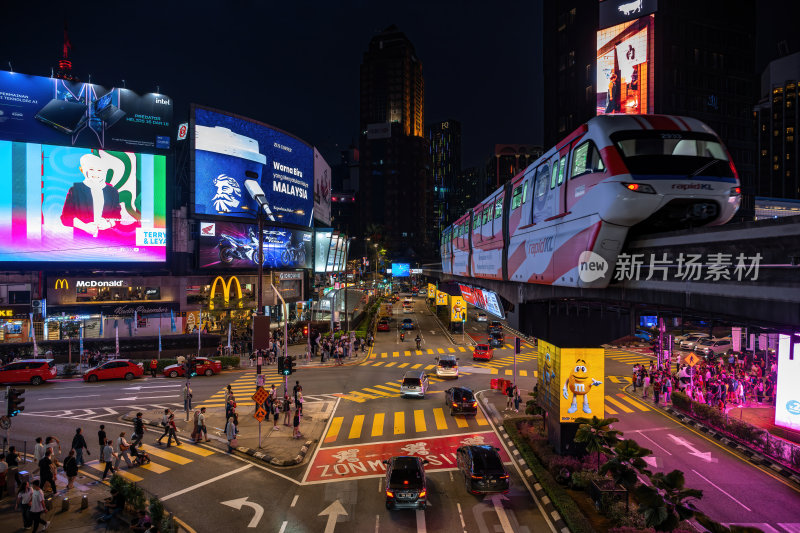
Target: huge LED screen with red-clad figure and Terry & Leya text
x=64 y=204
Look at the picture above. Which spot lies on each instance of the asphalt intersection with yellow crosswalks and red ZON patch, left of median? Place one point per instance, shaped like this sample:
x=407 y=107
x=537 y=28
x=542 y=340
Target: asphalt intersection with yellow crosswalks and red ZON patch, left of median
x=336 y=488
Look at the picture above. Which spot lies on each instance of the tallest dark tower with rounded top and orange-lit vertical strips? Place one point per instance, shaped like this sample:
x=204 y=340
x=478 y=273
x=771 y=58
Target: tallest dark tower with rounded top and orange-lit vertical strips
x=395 y=181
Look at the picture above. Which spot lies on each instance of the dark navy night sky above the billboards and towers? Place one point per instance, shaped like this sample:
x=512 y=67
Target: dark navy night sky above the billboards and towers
x=295 y=65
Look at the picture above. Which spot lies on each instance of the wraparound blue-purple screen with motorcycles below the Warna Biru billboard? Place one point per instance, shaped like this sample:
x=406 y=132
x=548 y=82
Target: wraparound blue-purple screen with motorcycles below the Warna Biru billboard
x=233 y=245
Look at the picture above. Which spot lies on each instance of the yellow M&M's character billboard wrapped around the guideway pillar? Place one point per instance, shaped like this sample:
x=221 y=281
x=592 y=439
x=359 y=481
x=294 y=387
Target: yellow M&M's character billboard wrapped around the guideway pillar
x=571 y=381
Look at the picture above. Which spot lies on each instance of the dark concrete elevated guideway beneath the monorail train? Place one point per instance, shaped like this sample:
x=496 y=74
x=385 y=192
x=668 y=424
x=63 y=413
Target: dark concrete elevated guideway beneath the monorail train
x=755 y=280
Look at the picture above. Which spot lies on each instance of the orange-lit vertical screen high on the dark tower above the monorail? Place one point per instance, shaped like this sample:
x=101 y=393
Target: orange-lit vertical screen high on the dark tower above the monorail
x=625 y=67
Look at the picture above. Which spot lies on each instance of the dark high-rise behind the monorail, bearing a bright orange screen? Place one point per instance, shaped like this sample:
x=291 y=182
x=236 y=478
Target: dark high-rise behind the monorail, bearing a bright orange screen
x=680 y=57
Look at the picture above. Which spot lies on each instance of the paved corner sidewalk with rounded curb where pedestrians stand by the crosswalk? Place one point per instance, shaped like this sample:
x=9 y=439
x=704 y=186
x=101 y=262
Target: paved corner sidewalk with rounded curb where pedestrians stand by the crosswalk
x=276 y=447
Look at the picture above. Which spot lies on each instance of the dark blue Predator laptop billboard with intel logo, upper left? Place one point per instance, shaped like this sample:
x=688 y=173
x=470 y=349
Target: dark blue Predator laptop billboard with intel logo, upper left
x=55 y=111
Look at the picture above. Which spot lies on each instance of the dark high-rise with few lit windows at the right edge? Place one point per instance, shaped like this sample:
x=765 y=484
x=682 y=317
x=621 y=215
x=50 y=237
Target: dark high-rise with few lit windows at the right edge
x=777 y=119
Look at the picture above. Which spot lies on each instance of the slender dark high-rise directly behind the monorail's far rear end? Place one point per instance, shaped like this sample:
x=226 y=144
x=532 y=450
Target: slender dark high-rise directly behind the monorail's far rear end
x=444 y=139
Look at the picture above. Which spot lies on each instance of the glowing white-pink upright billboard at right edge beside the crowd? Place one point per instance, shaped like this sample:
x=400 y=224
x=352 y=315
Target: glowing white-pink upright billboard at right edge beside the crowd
x=787 y=397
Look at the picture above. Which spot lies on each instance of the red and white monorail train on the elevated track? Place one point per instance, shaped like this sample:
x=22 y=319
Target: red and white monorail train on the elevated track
x=573 y=208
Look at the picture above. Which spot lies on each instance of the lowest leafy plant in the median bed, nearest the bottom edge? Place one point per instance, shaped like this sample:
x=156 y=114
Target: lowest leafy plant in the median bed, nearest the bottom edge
x=667 y=502
